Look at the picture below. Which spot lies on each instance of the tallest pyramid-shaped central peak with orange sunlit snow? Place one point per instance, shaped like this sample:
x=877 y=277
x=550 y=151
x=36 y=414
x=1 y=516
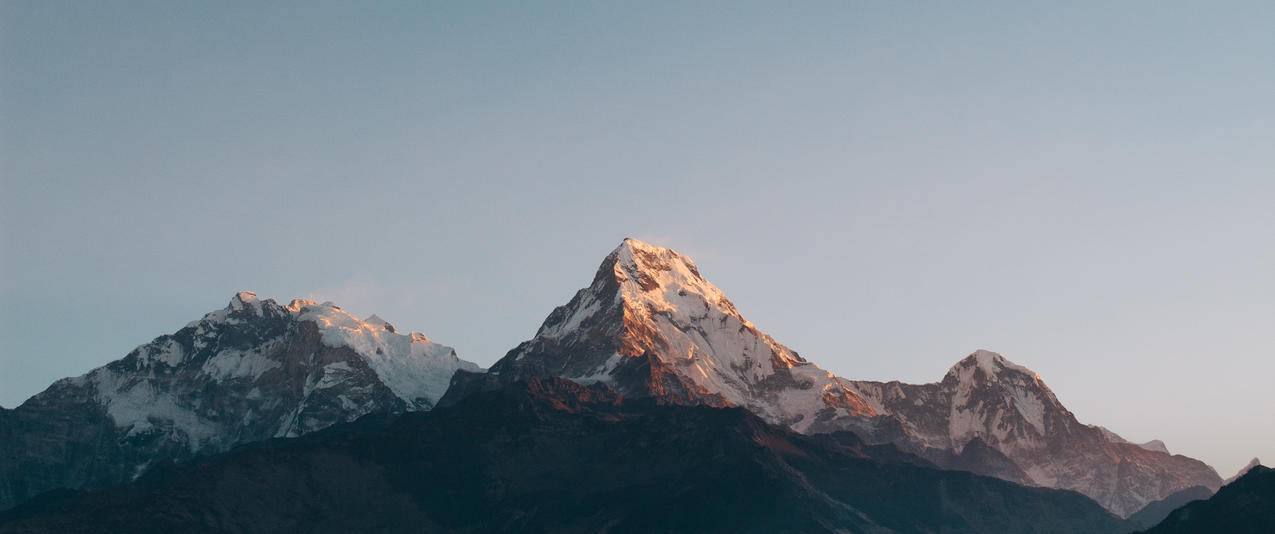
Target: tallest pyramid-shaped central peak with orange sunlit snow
x=650 y=324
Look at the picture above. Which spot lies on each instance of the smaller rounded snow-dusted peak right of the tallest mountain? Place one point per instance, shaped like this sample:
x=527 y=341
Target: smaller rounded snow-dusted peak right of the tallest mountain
x=1009 y=408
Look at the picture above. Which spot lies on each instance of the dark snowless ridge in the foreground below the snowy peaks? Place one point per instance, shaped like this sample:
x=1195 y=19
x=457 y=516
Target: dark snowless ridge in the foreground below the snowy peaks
x=553 y=456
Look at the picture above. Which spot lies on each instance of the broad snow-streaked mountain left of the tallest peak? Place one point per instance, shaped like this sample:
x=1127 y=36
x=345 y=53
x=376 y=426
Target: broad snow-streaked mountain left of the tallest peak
x=252 y=372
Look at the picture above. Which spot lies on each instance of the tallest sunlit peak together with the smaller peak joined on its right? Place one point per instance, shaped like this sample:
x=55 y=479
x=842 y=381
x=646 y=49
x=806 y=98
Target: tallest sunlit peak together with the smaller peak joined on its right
x=651 y=326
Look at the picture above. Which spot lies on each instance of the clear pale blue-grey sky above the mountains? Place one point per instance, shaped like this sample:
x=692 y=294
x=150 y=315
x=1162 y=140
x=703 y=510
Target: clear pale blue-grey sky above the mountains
x=1088 y=189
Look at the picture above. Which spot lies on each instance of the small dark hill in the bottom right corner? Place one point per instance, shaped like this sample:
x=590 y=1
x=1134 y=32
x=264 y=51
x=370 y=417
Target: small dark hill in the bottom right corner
x=1240 y=508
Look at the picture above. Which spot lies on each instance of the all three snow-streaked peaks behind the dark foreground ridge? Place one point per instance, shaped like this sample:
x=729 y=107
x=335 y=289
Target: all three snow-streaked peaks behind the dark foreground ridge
x=648 y=327
